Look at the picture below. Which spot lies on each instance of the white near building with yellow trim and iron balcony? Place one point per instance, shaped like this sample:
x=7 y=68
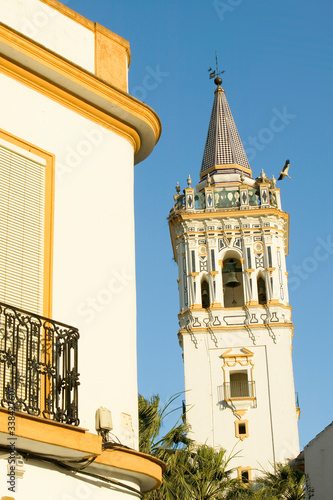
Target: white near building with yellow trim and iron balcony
x=70 y=135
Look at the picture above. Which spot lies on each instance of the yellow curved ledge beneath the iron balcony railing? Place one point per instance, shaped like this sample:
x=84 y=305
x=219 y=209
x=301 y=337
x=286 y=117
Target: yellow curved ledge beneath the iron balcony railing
x=64 y=442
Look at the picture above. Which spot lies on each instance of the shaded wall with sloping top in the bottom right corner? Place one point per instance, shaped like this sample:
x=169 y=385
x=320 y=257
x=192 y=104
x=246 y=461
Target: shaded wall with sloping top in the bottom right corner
x=318 y=460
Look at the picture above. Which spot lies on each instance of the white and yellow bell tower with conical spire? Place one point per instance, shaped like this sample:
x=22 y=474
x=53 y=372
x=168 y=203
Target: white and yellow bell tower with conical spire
x=230 y=241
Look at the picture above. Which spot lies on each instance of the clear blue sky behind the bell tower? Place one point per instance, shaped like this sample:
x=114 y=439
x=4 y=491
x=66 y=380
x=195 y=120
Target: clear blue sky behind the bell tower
x=278 y=59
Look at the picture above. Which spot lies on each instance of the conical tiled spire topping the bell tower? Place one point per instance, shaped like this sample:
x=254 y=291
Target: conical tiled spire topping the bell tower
x=223 y=144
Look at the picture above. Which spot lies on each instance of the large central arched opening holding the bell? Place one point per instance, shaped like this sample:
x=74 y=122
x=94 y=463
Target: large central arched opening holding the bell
x=233 y=287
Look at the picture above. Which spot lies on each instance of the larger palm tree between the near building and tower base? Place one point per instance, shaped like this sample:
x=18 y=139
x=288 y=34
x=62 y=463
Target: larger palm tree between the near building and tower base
x=192 y=472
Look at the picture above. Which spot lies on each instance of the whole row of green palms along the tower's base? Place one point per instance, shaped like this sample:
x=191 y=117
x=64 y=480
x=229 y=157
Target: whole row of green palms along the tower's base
x=201 y=472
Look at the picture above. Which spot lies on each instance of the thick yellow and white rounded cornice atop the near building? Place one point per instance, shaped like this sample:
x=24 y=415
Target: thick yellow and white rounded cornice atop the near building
x=129 y=117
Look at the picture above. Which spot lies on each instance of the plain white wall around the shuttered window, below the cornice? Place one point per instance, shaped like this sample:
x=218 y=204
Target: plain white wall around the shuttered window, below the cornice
x=94 y=255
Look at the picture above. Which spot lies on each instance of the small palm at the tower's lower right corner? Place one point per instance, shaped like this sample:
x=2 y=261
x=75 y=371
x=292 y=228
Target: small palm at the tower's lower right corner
x=285 y=483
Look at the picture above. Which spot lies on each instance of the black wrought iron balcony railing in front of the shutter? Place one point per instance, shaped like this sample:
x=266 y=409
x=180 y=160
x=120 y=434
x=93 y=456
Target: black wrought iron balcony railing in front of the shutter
x=38 y=365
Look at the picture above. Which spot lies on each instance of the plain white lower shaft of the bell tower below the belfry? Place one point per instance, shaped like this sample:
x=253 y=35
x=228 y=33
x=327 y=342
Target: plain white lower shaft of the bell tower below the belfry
x=272 y=421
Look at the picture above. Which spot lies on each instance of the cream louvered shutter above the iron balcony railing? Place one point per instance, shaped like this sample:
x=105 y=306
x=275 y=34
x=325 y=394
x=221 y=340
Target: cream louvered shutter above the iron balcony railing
x=22 y=222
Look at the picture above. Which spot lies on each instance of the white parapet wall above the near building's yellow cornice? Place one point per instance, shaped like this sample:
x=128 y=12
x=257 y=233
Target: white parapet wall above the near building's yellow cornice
x=52 y=29
